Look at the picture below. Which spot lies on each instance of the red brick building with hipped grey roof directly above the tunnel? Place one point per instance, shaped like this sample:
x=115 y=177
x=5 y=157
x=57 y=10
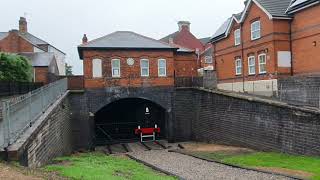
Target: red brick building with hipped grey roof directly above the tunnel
x=128 y=59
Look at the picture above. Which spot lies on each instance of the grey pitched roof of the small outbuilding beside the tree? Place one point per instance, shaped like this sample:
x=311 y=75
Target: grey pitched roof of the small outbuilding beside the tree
x=43 y=59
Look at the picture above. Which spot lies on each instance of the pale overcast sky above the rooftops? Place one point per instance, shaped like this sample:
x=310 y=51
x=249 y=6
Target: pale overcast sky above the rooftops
x=63 y=22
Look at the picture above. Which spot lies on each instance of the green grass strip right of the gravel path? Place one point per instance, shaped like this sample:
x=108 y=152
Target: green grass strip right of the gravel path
x=263 y=159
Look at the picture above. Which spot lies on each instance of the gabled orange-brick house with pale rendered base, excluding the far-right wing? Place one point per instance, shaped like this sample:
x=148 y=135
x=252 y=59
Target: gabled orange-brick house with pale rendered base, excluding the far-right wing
x=252 y=48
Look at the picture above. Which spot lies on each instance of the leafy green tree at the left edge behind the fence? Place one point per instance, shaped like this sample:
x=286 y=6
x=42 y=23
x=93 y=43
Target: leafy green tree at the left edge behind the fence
x=15 y=68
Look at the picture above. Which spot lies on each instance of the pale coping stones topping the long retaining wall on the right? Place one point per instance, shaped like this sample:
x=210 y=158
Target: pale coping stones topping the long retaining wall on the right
x=256 y=99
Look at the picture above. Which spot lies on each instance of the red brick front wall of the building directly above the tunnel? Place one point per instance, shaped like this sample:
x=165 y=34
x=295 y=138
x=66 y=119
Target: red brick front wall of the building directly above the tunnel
x=133 y=80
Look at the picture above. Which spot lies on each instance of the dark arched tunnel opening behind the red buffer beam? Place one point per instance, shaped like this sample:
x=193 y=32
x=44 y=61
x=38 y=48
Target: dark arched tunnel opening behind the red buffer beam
x=117 y=121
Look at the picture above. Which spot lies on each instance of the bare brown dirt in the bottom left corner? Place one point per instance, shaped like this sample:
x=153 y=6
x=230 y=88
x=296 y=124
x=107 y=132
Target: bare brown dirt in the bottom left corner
x=12 y=172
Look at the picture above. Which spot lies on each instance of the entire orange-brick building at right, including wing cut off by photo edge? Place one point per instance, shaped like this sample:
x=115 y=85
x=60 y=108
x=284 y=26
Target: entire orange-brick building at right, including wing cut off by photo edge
x=254 y=48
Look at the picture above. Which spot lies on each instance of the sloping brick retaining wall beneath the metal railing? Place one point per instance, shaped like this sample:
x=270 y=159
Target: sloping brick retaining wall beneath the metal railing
x=48 y=138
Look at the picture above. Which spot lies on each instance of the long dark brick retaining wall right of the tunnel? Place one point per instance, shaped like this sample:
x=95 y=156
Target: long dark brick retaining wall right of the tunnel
x=246 y=121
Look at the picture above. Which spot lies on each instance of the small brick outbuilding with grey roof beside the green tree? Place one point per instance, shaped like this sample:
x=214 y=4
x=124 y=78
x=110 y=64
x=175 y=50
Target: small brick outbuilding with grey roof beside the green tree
x=44 y=66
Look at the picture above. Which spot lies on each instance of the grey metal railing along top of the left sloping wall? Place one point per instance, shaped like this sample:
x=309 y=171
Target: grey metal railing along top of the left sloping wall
x=20 y=113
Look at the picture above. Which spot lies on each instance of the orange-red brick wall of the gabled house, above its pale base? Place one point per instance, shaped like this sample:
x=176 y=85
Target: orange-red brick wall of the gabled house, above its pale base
x=274 y=37
